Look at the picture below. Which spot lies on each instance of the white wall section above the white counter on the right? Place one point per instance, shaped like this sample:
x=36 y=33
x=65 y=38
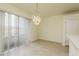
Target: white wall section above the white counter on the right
x=72 y=23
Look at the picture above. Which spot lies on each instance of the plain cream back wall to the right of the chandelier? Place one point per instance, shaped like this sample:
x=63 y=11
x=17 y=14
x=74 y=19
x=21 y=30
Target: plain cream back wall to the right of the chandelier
x=52 y=29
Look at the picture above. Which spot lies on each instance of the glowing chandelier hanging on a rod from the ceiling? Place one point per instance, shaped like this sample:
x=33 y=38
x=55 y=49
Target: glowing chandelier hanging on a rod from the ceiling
x=36 y=17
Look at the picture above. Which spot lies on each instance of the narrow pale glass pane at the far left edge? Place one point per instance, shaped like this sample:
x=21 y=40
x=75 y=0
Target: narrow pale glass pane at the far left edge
x=2 y=32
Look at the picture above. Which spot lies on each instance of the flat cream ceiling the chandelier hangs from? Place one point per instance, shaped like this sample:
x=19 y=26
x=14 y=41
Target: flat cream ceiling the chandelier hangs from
x=48 y=9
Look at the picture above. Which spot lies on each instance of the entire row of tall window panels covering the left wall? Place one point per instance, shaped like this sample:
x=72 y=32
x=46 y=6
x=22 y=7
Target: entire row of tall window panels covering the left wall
x=14 y=31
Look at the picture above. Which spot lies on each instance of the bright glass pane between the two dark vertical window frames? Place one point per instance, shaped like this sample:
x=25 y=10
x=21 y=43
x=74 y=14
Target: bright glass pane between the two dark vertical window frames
x=13 y=22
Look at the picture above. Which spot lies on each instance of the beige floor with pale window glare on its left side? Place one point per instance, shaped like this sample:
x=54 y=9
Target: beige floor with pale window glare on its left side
x=39 y=48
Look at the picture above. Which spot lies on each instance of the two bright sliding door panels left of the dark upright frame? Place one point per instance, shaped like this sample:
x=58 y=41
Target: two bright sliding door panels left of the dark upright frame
x=11 y=32
